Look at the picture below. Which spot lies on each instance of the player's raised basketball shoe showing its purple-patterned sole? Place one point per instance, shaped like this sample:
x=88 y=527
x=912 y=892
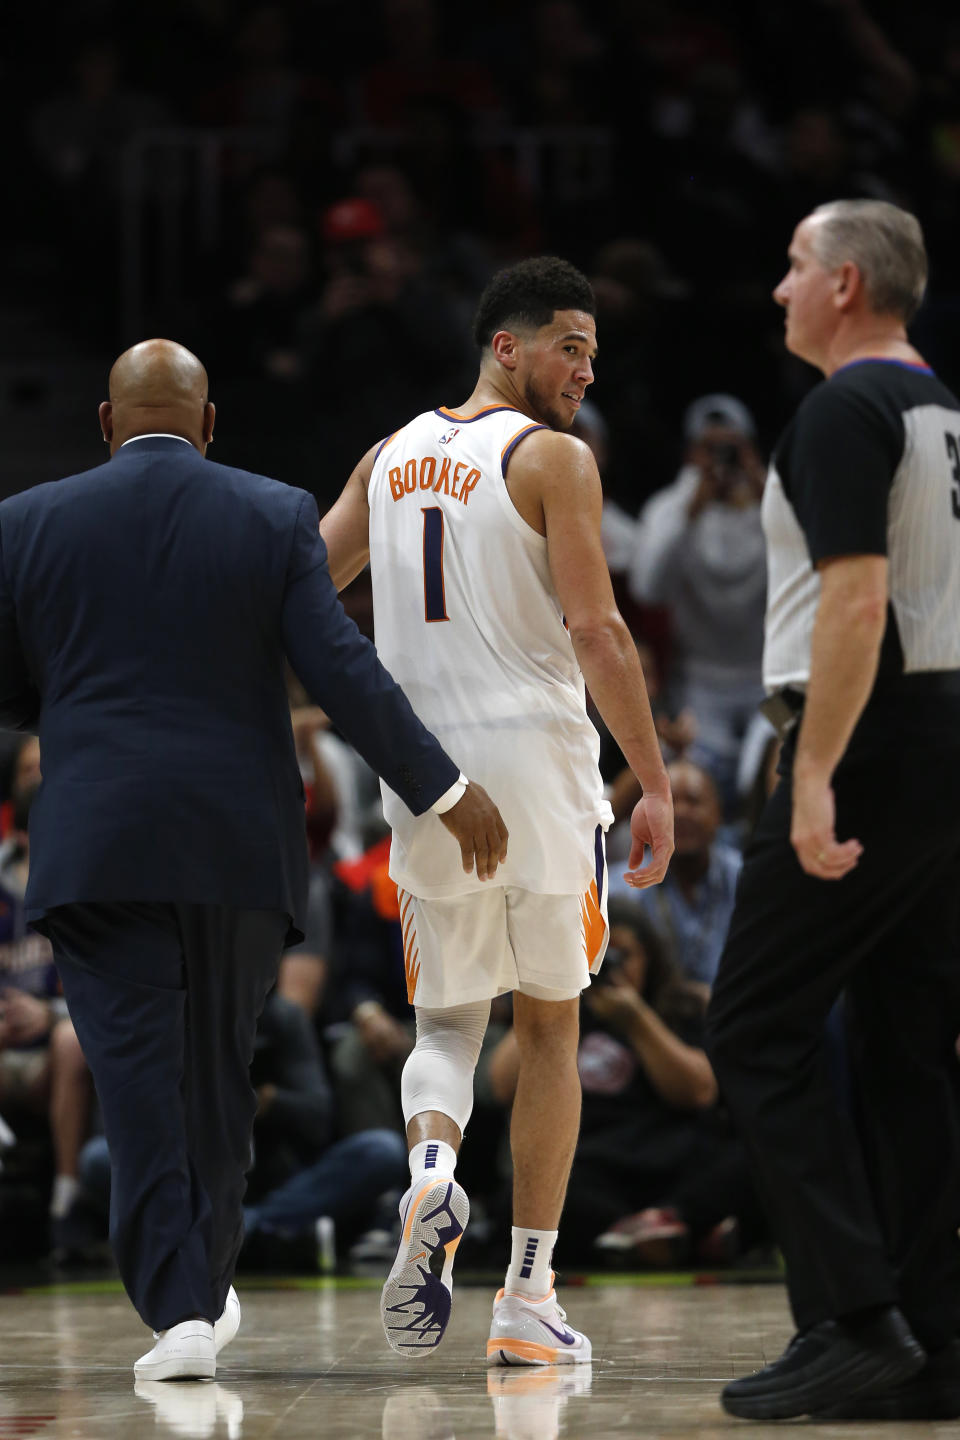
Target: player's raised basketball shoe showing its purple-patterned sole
x=417 y=1301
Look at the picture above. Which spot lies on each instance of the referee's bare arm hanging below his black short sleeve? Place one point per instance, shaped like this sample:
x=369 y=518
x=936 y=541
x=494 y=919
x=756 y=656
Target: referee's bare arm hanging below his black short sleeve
x=848 y=634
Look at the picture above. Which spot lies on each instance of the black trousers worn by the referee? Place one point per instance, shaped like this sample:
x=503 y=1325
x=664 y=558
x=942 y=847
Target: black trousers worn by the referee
x=866 y=1212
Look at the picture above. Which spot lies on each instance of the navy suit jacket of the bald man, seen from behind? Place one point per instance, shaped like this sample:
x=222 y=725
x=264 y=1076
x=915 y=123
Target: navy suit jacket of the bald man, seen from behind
x=146 y=610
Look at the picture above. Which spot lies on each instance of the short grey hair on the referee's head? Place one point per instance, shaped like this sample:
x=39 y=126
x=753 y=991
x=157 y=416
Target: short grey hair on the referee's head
x=887 y=247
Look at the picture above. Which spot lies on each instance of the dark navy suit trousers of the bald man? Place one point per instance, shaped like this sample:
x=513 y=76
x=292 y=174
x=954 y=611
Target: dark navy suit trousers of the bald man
x=165 y=1000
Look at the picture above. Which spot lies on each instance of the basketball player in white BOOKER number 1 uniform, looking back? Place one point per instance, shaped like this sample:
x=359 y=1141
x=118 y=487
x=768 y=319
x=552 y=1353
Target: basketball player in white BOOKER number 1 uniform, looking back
x=493 y=606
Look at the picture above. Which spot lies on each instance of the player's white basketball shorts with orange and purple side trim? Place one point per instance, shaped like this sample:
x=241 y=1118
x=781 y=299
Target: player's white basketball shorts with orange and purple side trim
x=474 y=947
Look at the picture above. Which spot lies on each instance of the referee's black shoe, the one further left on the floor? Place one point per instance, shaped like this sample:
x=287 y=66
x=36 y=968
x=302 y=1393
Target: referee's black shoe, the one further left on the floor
x=827 y=1364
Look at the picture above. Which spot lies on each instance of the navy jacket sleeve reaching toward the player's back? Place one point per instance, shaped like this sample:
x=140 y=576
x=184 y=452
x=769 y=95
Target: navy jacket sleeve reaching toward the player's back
x=342 y=672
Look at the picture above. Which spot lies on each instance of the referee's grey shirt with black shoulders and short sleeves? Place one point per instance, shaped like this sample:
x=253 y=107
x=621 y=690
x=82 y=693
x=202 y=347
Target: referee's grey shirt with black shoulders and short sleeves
x=869 y=466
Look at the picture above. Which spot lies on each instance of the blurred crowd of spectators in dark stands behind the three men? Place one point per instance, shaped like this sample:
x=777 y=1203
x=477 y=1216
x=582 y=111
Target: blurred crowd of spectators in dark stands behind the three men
x=382 y=165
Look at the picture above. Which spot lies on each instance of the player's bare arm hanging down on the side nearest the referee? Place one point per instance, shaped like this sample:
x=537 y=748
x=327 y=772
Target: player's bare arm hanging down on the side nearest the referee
x=556 y=486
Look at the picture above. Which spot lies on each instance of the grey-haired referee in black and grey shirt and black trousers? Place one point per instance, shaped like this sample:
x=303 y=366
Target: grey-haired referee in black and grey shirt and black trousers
x=851 y=885
